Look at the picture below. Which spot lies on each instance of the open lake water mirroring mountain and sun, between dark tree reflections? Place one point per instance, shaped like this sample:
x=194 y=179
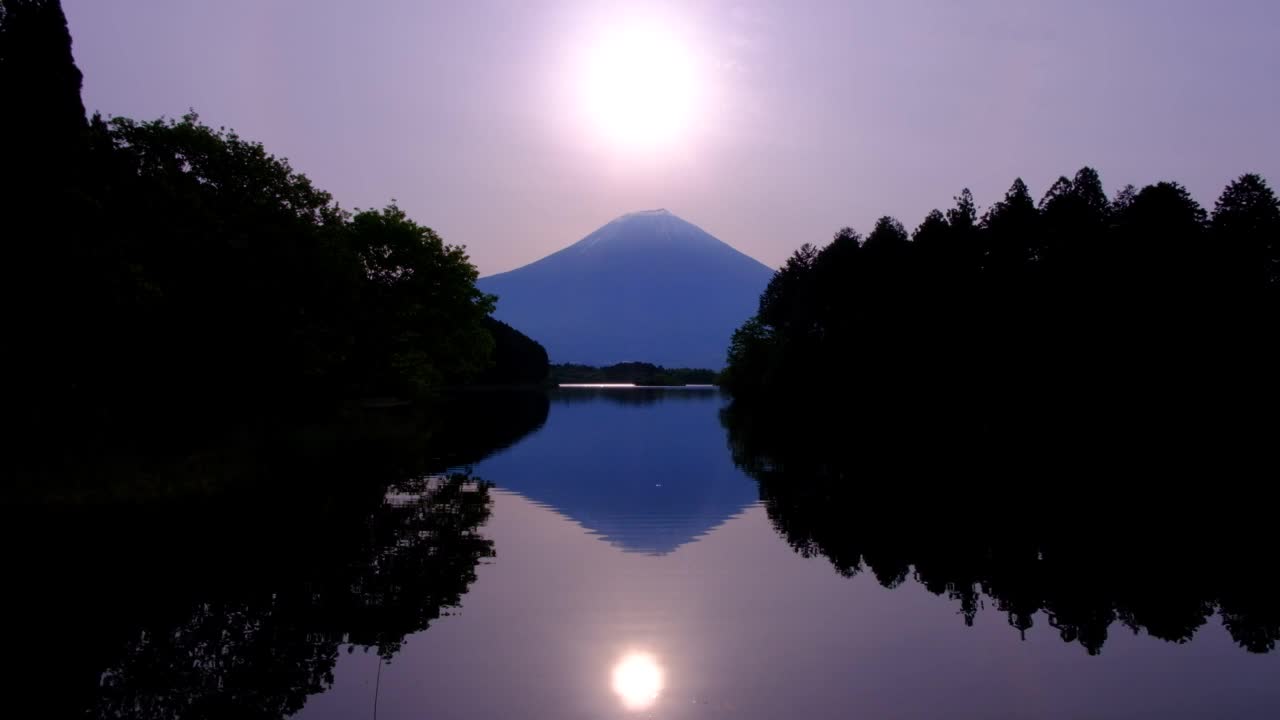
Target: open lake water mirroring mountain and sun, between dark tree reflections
x=637 y=575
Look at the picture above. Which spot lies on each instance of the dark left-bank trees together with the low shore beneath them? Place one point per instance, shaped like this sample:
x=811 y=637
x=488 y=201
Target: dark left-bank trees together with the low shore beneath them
x=190 y=316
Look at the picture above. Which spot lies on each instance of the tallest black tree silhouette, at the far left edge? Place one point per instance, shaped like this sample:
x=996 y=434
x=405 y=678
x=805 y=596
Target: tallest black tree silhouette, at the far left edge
x=44 y=209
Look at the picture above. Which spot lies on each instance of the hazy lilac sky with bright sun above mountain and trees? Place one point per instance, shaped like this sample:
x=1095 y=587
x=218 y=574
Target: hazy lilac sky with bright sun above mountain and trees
x=500 y=124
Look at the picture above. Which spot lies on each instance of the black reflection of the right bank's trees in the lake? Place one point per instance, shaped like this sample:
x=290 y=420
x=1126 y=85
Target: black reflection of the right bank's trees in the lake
x=1101 y=548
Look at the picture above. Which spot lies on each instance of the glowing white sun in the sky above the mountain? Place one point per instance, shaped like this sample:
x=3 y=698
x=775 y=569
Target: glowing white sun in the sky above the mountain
x=639 y=86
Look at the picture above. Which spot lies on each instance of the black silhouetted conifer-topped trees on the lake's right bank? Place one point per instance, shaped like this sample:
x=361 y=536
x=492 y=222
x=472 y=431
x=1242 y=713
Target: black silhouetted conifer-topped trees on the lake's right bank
x=1052 y=329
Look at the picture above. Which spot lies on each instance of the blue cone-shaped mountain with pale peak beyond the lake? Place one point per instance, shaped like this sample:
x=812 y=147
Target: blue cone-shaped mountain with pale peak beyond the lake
x=648 y=286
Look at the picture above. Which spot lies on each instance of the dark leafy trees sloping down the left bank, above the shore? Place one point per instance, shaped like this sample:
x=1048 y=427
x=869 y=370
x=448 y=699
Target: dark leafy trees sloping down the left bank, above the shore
x=164 y=266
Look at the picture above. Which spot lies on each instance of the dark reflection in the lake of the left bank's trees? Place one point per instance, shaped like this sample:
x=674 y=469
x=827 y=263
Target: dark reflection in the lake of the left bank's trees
x=237 y=605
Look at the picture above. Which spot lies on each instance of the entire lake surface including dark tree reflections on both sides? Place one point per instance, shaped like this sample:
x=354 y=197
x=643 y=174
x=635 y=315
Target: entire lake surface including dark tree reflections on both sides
x=623 y=566
